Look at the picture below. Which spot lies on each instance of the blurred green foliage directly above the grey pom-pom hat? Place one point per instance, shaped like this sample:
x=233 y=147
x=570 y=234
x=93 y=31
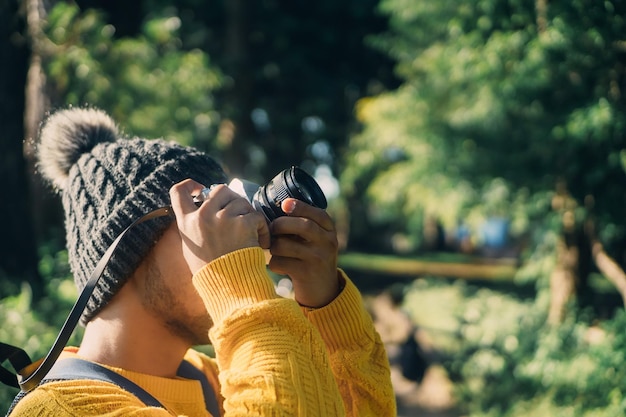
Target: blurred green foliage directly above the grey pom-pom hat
x=148 y=83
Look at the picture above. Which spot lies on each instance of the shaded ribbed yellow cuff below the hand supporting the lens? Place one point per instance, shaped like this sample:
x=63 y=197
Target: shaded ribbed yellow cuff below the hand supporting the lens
x=343 y=322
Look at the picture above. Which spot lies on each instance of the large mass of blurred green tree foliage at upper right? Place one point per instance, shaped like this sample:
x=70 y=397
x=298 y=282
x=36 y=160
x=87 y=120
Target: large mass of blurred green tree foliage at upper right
x=500 y=103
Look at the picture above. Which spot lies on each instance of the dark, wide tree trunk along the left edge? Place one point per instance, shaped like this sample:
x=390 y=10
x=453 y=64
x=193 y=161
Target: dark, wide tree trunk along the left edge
x=18 y=245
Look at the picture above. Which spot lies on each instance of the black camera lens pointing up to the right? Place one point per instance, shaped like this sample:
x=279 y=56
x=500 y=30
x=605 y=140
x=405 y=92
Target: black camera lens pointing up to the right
x=290 y=183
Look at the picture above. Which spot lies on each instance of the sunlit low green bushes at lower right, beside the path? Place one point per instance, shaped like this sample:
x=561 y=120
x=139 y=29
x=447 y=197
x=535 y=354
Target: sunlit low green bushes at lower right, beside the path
x=506 y=362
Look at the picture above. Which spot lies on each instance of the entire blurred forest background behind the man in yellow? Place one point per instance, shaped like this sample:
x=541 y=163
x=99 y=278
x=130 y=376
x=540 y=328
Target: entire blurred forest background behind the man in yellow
x=473 y=154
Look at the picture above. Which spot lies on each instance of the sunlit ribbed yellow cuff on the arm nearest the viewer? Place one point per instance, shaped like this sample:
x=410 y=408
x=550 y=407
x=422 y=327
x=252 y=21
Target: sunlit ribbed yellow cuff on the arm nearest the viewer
x=232 y=281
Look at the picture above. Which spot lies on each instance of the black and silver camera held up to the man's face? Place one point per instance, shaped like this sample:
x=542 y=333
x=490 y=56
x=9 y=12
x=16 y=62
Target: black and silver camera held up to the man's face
x=289 y=183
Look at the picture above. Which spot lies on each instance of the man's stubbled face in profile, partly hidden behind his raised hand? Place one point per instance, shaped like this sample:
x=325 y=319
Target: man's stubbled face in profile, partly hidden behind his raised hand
x=169 y=293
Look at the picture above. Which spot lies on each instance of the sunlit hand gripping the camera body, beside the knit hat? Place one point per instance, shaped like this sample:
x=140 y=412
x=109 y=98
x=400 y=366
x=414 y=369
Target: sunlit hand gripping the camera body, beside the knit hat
x=225 y=222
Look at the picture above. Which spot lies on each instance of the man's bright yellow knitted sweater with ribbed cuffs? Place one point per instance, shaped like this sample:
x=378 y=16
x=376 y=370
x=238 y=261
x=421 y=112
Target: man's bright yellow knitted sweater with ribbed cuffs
x=273 y=358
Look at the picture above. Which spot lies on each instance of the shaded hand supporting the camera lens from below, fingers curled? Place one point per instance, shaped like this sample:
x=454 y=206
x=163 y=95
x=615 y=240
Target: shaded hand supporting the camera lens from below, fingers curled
x=304 y=247
